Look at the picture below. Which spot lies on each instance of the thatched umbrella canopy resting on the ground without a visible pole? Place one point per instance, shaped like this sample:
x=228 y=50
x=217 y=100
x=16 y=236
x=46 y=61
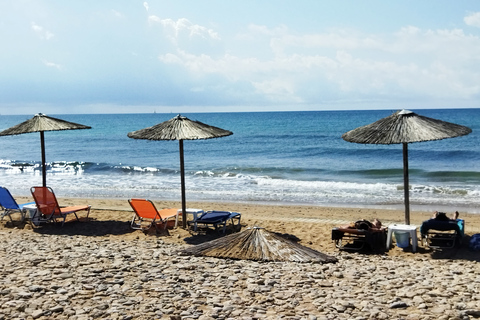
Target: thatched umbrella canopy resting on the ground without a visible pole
x=260 y=245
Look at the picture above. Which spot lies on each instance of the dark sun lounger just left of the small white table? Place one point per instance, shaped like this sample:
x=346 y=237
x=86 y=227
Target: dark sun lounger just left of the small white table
x=352 y=239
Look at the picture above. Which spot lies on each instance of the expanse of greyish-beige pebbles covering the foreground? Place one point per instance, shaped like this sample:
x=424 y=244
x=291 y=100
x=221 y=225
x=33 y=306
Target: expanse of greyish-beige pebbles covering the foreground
x=85 y=277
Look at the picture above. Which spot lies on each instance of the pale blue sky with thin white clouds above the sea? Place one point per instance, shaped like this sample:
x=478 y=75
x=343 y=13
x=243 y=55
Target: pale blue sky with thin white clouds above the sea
x=129 y=56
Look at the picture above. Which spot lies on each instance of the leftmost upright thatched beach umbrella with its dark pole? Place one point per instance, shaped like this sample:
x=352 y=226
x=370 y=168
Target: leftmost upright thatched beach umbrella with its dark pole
x=41 y=123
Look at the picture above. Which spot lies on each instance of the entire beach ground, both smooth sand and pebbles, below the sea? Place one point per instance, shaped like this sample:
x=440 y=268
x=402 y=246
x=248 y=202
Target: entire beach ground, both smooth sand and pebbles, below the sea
x=399 y=284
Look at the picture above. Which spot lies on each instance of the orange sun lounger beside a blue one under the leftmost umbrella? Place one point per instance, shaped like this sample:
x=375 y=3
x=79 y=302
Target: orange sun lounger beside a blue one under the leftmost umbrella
x=48 y=208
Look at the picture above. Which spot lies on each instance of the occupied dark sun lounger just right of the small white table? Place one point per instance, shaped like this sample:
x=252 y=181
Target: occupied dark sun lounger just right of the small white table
x=438 y=234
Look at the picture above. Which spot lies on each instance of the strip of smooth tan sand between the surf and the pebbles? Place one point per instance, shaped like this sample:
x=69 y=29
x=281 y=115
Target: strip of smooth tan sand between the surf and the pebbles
x=312 y=225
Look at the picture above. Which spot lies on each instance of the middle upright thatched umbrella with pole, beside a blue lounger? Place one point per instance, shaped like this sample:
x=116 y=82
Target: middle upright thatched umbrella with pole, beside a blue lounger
x=180 y=128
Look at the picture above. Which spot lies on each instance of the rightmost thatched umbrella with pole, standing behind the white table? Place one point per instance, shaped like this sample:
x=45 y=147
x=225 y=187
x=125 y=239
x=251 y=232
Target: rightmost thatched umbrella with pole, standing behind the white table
x=405 y=127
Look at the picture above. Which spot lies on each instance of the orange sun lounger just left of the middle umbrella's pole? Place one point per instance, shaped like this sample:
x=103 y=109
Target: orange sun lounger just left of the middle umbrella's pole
x=146 y=215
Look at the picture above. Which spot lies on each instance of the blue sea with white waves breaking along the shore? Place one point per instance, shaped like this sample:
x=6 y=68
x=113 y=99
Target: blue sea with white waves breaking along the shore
x=279 y=158
